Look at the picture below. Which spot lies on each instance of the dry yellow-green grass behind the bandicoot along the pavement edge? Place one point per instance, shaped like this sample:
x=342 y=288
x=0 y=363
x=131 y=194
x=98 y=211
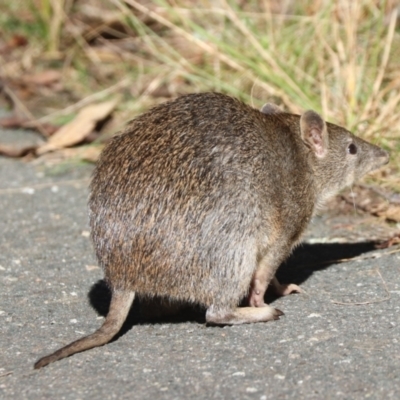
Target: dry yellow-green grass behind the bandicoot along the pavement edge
x=340 y=58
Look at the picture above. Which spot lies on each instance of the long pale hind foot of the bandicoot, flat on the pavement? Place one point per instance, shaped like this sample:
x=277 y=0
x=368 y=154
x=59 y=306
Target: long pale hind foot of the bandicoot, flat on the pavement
x=242 y=315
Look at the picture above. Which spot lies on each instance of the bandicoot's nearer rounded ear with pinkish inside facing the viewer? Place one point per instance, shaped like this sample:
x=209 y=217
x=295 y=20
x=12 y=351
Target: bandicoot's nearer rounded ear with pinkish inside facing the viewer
x=314 y=133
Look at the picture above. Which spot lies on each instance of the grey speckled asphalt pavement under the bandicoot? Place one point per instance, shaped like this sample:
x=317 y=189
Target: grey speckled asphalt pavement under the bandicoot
x=339 y=340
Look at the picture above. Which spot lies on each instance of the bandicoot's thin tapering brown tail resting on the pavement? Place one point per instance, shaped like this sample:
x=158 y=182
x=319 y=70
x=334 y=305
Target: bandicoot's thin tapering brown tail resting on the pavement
x=119 y=308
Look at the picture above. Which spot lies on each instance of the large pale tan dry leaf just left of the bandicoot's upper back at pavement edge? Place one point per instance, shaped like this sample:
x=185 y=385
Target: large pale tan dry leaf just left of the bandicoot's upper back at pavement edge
x=79 y=128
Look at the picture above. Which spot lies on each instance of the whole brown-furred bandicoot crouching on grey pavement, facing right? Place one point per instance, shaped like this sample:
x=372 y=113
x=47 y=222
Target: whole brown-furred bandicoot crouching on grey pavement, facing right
x=201 y=199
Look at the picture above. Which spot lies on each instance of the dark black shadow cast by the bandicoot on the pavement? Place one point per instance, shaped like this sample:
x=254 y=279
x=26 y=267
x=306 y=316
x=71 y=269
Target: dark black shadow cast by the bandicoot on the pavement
x=306 y=259
